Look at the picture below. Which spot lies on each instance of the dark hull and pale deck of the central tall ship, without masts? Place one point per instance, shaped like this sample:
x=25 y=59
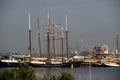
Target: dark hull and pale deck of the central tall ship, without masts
x=54 y=63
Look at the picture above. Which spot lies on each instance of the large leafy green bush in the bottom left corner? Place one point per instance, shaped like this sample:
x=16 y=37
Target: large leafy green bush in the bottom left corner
x=21 y=73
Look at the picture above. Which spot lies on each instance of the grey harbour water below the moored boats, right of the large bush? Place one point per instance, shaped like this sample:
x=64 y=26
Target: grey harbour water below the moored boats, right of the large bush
x=84 y=73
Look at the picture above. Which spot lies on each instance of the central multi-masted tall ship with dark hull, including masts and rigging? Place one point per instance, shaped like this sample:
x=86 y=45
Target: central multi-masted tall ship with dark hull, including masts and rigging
x=52 y=61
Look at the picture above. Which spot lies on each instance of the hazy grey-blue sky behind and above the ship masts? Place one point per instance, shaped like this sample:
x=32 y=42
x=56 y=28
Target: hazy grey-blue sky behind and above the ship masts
x=90 y=22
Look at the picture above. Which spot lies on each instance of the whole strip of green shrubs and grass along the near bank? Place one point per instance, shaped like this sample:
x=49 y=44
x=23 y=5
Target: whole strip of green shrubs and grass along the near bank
x=24 y=72
